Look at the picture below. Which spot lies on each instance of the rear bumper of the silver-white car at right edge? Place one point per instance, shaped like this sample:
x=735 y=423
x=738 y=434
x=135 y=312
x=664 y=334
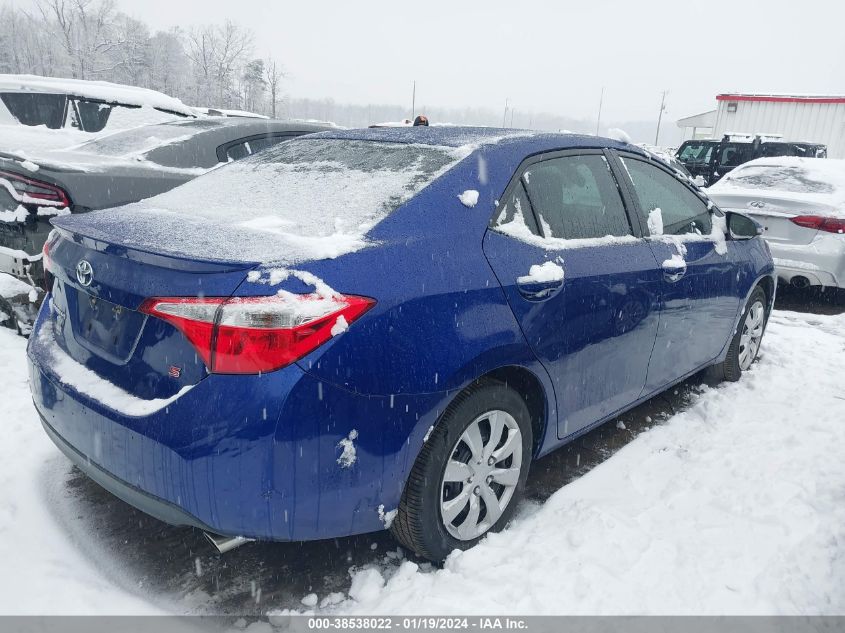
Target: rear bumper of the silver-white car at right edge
x=822 y=261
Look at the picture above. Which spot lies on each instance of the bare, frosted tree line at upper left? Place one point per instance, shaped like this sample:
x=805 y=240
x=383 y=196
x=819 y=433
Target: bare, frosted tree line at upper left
x=212 y=65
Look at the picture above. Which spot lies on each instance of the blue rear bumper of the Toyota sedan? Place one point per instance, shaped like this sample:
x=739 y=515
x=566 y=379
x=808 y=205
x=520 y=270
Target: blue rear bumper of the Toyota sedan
x=251 y=456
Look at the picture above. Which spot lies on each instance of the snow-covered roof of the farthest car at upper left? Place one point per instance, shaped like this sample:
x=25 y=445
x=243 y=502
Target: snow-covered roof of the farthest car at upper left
x=116 y=94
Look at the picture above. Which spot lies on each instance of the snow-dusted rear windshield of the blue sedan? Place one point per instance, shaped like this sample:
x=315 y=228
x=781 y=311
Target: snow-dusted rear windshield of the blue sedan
x=311 y=191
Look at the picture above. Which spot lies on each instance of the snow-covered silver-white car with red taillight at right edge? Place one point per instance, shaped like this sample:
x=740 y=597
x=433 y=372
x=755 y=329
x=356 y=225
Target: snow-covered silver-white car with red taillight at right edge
x=800 y=203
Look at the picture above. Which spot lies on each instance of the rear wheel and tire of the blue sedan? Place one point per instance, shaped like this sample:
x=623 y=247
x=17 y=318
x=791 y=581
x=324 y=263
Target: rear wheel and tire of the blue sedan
x=424 y=522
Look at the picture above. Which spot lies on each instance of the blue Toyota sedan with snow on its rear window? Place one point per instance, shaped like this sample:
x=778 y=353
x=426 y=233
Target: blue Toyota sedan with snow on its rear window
x=381 y=329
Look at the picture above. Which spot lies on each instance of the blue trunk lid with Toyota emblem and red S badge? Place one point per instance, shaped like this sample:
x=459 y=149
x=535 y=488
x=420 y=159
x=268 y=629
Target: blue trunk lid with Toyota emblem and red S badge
x=97 y=289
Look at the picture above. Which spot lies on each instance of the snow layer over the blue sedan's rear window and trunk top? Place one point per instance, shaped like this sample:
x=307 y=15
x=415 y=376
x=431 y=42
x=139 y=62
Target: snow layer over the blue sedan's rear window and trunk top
x=303 y=199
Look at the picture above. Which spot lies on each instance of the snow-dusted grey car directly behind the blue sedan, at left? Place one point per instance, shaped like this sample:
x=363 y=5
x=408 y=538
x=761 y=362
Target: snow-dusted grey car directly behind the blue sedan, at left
x=116 y=169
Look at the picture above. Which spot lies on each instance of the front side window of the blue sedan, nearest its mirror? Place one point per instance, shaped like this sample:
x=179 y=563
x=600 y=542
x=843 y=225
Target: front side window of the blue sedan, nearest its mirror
x=679 y=209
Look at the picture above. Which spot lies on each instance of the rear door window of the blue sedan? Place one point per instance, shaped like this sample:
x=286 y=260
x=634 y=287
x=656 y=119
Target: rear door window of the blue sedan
x=576 y=197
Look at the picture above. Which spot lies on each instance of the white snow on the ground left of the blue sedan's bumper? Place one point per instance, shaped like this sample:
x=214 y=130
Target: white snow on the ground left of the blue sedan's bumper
x=52 y=568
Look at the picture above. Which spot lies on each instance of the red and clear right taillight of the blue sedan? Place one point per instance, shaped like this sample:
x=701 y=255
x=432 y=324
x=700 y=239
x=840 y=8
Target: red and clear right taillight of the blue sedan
x=250 y=335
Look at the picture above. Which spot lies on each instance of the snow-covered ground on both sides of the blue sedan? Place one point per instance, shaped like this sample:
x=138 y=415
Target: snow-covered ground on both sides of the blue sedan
x=734 y=505
